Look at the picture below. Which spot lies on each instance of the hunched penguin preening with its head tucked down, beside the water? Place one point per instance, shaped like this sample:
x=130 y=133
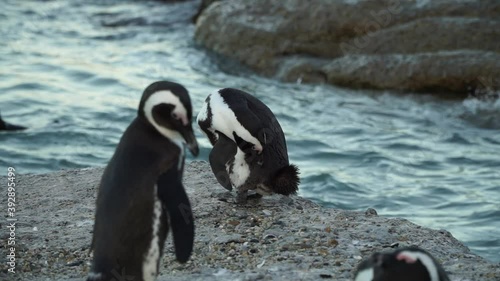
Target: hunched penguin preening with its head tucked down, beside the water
x=249 y=148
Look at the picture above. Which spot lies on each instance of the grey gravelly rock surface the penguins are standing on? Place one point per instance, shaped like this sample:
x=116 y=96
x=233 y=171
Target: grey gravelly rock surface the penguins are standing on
x=277 y=238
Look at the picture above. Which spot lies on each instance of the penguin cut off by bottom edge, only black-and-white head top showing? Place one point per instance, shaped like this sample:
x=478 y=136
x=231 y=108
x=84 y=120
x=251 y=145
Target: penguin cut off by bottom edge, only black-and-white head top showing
x=405 y=264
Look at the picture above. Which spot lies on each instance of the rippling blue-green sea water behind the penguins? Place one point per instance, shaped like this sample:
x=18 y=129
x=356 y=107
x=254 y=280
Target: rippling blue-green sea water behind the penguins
x=73 y=72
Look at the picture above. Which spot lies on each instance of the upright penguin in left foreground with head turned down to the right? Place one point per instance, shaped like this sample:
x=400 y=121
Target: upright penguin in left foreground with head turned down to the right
x=141 y=192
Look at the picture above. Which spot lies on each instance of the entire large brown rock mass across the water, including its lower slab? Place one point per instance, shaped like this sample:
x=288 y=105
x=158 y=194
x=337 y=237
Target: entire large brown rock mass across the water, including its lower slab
x=313 y=41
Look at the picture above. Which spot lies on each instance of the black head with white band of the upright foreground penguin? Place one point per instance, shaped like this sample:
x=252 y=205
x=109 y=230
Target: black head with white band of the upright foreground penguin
x=167 y=107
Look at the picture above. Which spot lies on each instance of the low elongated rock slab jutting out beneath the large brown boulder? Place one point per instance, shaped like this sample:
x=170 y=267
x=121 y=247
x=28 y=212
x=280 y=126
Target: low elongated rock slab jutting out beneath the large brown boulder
x=441 y=71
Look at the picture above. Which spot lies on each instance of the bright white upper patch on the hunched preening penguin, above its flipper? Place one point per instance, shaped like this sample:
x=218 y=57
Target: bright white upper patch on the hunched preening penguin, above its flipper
x=224 y=120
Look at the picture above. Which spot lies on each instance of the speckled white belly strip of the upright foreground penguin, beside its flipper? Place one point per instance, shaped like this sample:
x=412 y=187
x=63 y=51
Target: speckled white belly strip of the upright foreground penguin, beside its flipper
x=152 y=256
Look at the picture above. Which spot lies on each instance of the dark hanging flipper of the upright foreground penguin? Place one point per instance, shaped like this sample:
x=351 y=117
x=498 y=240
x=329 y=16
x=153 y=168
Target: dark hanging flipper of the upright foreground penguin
x=174 y=198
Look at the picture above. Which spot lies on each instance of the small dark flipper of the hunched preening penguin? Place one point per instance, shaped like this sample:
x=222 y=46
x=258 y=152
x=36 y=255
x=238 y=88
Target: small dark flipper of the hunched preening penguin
x=222 y=152
